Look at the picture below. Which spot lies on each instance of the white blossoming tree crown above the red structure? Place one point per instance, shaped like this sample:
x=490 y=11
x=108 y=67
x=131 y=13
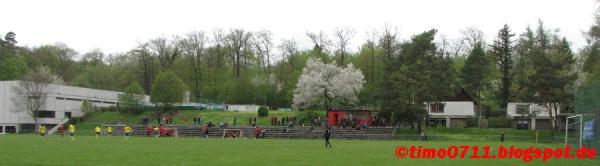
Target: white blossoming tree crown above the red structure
x=325 y=84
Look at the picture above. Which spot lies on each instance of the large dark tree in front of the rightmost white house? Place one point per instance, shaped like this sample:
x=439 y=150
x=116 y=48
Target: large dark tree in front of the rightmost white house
x=551 y=81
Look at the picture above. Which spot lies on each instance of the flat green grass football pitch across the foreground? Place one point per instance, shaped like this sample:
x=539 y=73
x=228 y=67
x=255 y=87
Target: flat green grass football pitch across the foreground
x=29 y=150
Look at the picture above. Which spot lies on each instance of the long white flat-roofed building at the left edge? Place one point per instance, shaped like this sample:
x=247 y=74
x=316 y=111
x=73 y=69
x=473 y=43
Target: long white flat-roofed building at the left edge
x=62 y=102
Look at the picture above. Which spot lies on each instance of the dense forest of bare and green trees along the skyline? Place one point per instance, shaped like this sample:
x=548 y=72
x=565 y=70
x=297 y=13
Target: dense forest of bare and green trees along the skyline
x=247 y=67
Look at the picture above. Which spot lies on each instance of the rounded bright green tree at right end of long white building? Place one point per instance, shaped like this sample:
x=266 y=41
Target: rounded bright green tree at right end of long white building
x=167 y=89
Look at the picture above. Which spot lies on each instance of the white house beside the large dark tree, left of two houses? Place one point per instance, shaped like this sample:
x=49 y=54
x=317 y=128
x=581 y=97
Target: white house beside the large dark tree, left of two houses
x=453 y=111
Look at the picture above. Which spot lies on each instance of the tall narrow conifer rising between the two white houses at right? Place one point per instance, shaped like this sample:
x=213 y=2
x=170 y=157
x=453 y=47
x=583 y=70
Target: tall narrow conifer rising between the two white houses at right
x=502 y=50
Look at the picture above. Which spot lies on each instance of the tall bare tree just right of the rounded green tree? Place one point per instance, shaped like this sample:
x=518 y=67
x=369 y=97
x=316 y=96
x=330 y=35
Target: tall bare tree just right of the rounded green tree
x=193 y=46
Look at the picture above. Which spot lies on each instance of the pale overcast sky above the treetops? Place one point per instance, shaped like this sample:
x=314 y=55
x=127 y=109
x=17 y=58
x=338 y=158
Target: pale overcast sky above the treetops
x=116 y=26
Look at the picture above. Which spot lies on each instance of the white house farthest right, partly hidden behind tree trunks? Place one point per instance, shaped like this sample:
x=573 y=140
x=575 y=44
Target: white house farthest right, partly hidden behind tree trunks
x=529 y=115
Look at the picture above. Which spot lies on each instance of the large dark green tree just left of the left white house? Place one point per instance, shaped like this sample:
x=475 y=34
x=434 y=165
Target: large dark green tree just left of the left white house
x=413 y=79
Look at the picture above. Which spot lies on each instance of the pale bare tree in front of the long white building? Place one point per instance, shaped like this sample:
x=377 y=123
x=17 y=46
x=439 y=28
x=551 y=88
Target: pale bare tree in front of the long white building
x=32 y=91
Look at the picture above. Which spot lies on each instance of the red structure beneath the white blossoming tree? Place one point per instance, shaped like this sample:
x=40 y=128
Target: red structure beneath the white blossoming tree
x=349 y=117
